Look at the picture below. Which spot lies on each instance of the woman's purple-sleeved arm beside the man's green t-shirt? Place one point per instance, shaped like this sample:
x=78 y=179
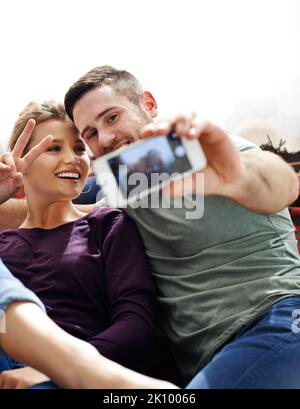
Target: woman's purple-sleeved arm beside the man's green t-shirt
x=130 y=293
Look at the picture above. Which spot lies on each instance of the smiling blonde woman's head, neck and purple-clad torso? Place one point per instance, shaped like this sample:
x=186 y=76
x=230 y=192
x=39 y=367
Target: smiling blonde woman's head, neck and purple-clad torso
x=90 y=271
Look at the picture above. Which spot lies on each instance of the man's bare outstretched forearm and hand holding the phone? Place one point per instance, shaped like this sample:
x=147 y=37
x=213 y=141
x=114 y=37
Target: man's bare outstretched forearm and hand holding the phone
x=259 y=181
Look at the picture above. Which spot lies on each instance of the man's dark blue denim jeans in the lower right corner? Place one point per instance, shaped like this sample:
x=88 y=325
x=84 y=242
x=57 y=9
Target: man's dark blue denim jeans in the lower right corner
x=265 y=354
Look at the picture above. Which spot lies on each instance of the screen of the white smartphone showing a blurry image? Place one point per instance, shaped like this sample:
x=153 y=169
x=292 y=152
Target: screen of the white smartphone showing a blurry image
x=149 y=163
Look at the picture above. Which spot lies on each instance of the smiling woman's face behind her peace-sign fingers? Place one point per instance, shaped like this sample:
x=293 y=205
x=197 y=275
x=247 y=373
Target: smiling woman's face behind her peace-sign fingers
x=60 y=172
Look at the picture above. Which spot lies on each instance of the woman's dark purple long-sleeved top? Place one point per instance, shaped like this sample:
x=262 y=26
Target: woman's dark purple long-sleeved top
x=92 y=275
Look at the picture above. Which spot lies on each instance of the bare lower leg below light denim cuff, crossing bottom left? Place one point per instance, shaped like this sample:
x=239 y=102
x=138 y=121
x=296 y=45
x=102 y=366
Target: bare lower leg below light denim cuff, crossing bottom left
x=33 y=338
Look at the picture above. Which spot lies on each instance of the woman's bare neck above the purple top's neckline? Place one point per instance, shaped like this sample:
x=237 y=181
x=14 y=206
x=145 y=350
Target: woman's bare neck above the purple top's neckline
x=50 y=215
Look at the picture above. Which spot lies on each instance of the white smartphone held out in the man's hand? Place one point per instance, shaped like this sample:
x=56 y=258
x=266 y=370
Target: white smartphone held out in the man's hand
x=145 y=166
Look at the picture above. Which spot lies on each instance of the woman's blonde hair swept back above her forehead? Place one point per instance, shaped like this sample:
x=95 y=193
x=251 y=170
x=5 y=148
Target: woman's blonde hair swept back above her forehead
x=40 y=113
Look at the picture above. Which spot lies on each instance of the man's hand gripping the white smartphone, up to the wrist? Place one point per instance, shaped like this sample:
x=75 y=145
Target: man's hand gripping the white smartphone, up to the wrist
x=224 y=166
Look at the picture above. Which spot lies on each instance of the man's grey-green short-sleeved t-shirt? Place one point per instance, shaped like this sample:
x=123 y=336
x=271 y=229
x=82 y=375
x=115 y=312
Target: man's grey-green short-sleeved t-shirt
x=215 y=273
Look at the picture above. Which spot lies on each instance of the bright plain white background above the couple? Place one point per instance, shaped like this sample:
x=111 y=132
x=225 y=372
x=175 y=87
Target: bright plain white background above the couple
x=235 y=62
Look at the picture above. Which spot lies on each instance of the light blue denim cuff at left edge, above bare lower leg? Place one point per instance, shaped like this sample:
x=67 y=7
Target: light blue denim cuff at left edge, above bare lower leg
x=11 y=289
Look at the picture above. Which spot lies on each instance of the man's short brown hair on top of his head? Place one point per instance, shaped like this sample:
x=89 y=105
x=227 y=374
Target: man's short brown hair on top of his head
x=121 y=81
